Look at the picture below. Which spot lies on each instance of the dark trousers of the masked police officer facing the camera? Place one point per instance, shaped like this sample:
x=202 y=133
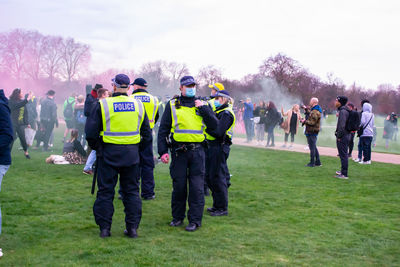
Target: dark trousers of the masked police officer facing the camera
x=188 y=168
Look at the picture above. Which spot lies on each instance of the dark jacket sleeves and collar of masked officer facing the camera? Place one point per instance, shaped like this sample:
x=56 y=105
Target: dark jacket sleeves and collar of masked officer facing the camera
x=164 y=131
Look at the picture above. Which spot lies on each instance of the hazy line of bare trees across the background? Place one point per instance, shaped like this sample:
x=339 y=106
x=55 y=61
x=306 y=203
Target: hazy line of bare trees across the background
x=39 y=62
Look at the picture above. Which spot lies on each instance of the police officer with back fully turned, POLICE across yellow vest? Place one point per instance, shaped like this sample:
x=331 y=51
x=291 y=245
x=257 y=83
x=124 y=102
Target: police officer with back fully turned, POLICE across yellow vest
x=114 y=129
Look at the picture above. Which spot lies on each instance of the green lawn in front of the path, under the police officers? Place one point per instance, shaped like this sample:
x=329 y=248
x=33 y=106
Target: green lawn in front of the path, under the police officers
x=281 y=213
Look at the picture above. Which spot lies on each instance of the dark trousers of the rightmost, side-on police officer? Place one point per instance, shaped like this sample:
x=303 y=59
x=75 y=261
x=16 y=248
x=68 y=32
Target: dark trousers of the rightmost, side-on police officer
x=216 y=174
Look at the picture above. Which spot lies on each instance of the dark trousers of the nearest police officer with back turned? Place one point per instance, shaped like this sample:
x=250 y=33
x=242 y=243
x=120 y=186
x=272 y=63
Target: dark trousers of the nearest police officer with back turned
x=103 y=208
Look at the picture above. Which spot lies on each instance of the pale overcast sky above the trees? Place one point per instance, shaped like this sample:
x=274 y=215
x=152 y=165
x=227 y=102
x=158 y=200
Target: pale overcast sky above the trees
x=358 y=41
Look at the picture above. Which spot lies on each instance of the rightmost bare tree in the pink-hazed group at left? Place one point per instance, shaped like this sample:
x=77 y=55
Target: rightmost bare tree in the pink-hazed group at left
x=75 y=56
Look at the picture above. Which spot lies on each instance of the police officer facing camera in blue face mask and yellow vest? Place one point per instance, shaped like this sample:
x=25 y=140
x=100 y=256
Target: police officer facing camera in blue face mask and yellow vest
x=185 y=119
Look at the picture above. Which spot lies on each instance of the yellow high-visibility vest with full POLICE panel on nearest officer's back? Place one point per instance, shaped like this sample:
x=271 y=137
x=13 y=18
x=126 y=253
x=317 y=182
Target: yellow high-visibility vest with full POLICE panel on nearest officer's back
x=122 y=118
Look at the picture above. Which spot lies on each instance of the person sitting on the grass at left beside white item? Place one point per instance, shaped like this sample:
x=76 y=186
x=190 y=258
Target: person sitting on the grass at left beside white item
x=73 y=152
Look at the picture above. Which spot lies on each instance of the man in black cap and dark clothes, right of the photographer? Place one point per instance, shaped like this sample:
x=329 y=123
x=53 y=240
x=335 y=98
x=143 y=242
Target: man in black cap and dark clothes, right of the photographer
x=342 y=134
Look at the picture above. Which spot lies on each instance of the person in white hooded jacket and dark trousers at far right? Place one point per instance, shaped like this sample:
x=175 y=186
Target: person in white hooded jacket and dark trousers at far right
x=367 y=128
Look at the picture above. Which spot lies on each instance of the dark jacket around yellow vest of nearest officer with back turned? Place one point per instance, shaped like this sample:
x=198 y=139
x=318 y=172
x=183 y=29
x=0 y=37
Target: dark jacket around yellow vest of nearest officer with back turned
x=114 y=155
